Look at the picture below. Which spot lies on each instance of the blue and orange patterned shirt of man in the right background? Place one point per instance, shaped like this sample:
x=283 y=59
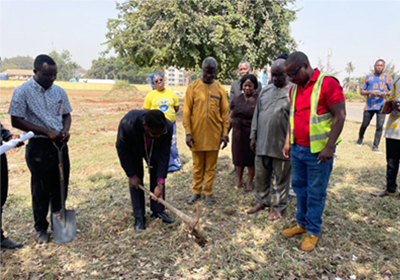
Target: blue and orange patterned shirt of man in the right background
x=377 y=83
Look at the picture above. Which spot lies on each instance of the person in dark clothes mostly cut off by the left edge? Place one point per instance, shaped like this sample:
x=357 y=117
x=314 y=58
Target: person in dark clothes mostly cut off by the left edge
x=6 y=135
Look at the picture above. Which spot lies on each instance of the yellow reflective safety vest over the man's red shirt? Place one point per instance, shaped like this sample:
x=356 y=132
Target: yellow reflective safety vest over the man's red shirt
x=320 y=125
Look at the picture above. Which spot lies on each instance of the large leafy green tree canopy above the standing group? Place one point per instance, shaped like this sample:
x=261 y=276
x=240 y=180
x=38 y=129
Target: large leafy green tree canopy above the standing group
x=182 y=33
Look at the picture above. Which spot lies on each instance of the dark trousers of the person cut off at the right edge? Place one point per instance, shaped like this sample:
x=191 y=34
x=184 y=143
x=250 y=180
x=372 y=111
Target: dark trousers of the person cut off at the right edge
x=392 y=160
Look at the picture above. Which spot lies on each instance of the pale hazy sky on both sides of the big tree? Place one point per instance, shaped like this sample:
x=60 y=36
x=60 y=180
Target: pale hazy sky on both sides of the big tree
x=354 y=31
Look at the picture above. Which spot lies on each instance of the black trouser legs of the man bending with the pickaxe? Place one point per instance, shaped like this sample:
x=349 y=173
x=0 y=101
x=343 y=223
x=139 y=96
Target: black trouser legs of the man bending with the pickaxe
x=137 y=196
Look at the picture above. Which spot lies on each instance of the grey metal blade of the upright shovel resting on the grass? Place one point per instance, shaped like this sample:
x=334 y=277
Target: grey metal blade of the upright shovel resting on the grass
x=64 y=232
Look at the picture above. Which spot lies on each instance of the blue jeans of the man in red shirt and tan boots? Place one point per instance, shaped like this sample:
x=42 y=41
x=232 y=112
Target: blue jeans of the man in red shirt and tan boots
x=309 y=181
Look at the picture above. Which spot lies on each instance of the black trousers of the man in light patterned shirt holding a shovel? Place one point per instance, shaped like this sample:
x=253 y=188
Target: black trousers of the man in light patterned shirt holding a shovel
x=42 y=160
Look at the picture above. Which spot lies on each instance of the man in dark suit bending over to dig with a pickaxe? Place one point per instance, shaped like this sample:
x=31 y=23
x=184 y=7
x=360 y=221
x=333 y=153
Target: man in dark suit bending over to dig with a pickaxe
x=148 y=135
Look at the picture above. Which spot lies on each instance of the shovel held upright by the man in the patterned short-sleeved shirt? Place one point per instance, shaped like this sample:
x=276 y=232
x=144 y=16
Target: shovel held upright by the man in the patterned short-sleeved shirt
x=64 y=222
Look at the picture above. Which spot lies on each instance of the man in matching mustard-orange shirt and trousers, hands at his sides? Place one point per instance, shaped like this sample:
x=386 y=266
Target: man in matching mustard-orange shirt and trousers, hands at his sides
x=206 y=122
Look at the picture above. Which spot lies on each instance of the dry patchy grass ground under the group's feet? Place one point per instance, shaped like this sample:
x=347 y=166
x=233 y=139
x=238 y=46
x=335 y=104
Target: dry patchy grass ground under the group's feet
x=360 y=233
